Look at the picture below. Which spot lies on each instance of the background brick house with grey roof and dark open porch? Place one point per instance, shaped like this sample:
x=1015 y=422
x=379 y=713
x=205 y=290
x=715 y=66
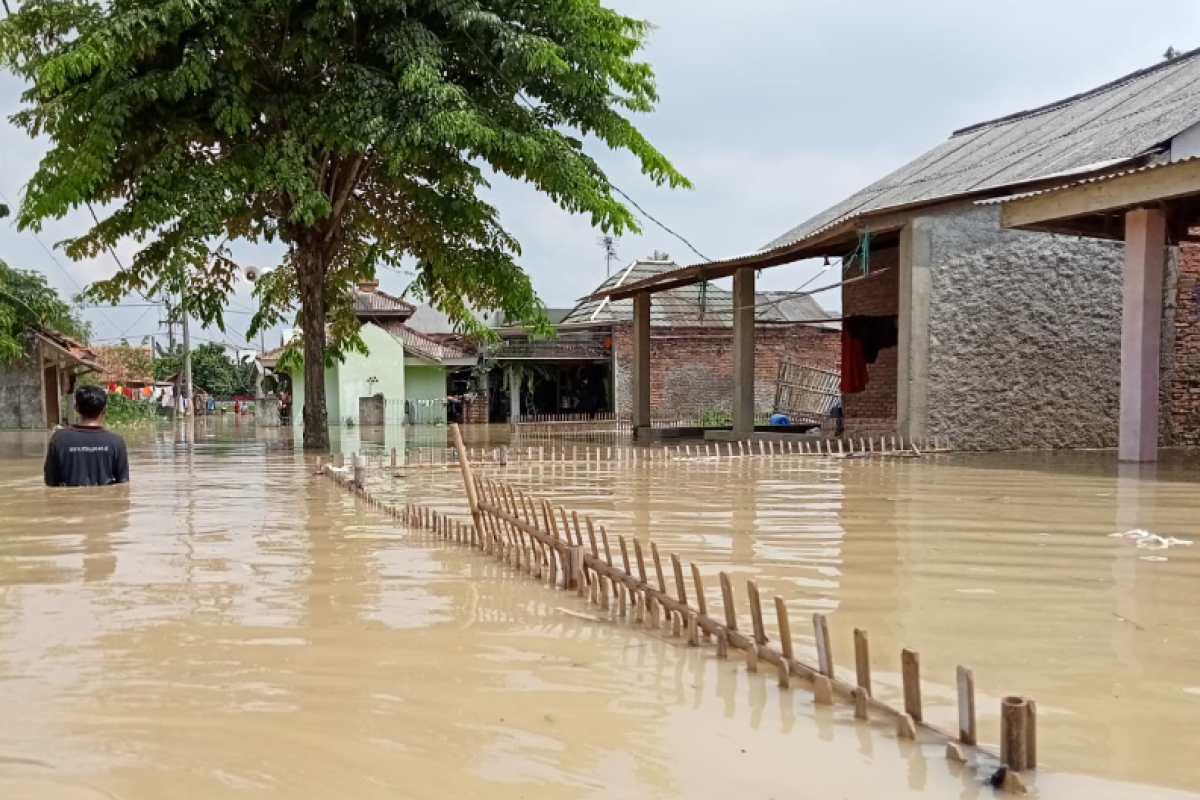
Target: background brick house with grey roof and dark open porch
x=589 y=366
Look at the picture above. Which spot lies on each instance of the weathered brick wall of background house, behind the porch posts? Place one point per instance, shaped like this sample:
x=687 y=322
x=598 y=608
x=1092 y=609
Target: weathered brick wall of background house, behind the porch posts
x=692 y=369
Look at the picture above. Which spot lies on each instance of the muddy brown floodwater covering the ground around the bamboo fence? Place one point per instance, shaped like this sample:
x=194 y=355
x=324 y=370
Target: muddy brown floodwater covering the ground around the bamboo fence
x=231 y=627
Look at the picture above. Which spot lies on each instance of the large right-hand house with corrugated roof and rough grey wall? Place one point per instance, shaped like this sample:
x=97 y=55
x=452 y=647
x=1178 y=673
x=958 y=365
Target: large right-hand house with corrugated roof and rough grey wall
x=964 y=329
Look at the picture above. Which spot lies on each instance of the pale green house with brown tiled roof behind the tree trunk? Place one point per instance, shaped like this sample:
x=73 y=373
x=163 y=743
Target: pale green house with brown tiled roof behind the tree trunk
x=410 y=369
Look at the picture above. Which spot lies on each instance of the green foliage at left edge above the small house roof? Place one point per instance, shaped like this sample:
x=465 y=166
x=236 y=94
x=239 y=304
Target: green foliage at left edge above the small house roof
x=28 y=302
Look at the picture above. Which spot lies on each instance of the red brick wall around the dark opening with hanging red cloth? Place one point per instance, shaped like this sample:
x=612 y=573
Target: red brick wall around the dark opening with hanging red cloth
x=874 y=412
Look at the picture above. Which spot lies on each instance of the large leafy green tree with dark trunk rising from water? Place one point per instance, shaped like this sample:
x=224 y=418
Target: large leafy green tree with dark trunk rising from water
x=358 y=133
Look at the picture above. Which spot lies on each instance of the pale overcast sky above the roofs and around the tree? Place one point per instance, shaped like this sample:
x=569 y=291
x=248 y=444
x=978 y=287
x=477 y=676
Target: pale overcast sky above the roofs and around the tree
x=776 y=110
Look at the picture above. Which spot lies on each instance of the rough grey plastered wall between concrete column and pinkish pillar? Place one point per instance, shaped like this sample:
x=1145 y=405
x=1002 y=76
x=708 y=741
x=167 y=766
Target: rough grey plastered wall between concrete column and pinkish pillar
x=1024 y=335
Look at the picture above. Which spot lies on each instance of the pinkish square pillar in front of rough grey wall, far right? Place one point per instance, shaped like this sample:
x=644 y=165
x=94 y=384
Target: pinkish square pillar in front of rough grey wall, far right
x=1142 y=324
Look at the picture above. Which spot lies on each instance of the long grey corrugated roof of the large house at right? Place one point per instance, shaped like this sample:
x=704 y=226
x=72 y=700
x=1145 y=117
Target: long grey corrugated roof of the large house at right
x=1115 y=123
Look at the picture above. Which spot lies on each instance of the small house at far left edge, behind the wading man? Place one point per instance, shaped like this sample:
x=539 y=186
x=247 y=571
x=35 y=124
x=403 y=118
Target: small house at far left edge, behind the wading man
x=35 y=390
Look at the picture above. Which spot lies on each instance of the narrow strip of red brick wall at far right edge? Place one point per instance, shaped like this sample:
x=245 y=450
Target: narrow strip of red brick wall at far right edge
x=1183 y=372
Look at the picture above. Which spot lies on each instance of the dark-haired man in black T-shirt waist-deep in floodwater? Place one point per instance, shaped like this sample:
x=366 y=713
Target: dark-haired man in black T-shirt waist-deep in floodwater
x=87 y=454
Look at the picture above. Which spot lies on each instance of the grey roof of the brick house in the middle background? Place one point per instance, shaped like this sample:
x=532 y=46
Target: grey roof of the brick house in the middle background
x=693 y=306
